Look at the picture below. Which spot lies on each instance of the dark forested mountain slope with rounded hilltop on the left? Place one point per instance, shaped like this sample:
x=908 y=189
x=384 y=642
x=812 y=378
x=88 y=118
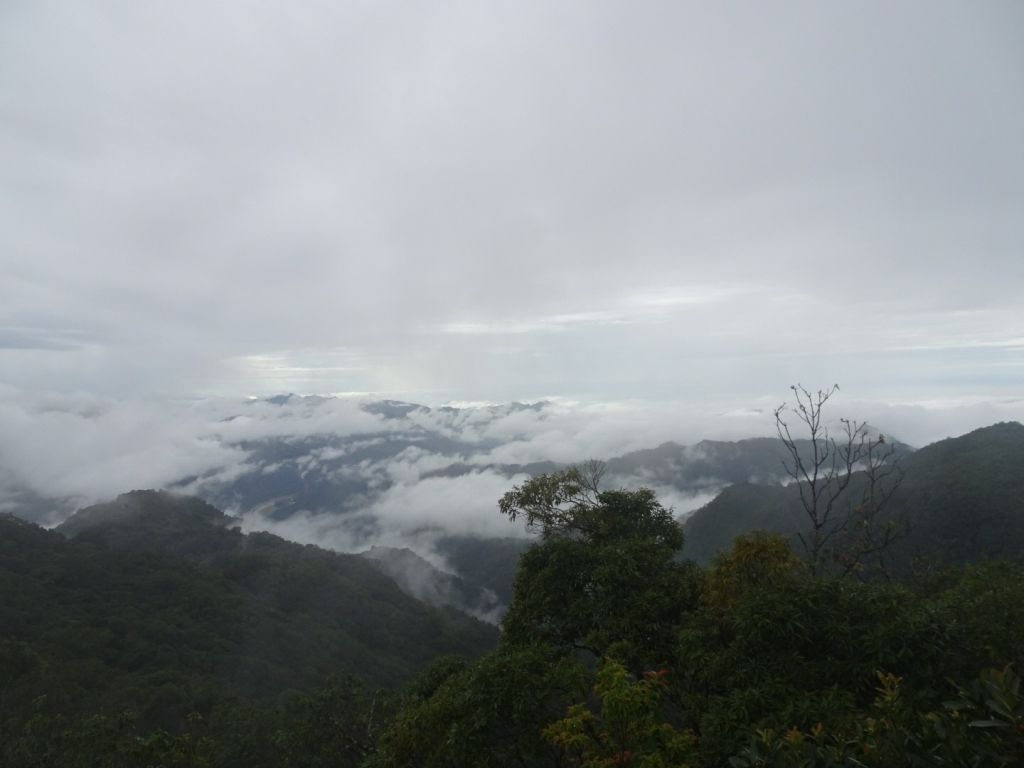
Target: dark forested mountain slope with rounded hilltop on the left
x=159 y=607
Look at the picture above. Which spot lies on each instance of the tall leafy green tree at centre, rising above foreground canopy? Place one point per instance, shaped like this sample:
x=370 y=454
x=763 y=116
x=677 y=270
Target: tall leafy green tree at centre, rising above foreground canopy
x=606 y=572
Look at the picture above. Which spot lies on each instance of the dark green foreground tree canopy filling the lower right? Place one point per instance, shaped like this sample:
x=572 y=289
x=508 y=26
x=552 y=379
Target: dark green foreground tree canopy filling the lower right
x=753 y=662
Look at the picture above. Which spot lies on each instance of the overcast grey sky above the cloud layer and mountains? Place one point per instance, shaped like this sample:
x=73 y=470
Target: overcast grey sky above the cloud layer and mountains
x=514 y=200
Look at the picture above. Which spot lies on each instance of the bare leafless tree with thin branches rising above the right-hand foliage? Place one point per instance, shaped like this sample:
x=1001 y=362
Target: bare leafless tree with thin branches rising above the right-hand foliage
x=841 y=529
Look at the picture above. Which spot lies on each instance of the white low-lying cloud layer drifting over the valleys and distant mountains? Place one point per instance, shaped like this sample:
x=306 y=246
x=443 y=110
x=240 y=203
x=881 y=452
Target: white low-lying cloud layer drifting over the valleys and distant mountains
x=82 y=450
